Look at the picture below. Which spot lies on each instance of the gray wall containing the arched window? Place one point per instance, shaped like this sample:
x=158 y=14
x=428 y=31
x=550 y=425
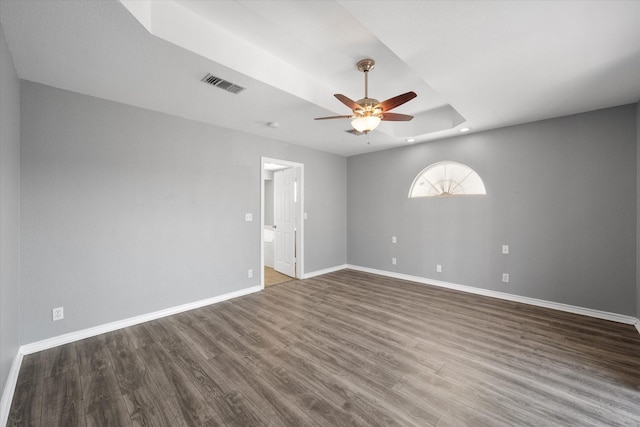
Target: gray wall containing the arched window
x=561 y=193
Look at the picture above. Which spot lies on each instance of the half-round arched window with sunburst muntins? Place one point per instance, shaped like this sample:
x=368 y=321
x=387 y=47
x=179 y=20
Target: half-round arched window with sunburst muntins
x=446 y=178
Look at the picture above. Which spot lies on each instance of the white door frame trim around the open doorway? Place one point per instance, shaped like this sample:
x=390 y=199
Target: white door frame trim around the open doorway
x=299 y=215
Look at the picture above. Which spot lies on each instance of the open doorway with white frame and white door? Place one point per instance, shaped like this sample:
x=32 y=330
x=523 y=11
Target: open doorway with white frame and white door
x=282 y=214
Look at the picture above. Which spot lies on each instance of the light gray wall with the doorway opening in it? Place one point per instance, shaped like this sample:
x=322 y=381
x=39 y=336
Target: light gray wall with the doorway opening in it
x=128 y=211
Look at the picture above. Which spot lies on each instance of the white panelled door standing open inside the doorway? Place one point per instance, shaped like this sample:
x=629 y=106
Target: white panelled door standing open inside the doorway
x=284 y=242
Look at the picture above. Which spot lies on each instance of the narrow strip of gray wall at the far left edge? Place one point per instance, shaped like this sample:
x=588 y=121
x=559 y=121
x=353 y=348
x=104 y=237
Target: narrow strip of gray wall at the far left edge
x=9 y=211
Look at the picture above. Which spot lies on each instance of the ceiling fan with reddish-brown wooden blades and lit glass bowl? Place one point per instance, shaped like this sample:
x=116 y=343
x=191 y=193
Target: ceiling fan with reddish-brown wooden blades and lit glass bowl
x=368 y=112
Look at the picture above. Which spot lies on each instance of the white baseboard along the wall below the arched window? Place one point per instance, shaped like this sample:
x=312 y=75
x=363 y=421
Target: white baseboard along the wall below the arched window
x=615 y=317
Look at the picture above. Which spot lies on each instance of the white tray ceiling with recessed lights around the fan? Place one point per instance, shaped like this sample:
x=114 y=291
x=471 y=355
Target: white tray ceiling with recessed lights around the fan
x=481 y=64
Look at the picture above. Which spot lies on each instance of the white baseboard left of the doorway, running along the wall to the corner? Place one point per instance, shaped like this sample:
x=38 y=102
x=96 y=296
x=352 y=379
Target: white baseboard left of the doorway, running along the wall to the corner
x=113 y=326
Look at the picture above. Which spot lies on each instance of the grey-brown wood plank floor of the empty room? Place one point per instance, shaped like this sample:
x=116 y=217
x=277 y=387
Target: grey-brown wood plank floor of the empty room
x=346 y=348
